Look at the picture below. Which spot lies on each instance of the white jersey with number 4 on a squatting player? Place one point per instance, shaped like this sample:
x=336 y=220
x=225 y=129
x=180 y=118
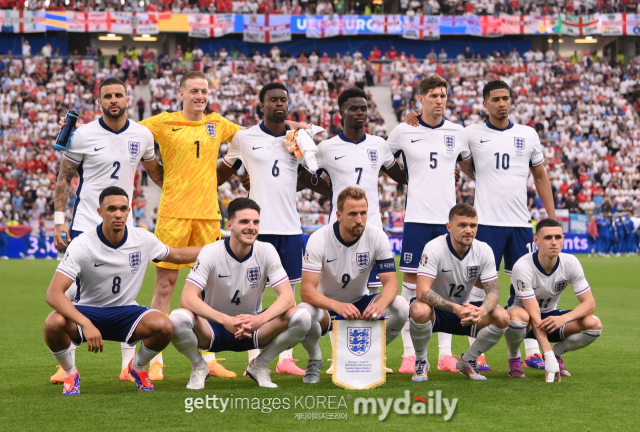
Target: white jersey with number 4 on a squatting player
x=233 y=286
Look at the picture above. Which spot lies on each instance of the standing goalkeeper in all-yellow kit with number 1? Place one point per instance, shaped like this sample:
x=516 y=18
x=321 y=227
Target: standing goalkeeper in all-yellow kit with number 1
x=188 y=214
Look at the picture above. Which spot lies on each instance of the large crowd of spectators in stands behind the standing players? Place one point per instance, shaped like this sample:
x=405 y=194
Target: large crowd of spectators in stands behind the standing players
x=584 y=109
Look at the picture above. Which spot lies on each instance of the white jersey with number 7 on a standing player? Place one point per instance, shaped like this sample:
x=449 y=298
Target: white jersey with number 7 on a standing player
x=355 y=164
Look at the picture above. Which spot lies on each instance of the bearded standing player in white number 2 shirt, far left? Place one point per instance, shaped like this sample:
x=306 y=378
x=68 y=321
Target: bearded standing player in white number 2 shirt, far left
x=104 y=152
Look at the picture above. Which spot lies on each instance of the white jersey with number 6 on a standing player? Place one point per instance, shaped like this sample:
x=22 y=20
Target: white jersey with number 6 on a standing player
x=274 y=175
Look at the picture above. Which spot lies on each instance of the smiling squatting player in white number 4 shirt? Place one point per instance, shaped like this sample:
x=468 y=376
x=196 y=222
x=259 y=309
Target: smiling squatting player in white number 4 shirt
x=222 y=297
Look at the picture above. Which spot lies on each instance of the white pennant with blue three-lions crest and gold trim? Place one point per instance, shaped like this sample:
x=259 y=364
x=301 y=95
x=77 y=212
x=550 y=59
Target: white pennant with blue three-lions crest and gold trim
x=359 y=353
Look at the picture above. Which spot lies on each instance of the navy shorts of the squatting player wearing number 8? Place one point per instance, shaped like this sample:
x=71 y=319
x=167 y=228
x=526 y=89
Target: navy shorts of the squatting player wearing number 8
x=115 y=323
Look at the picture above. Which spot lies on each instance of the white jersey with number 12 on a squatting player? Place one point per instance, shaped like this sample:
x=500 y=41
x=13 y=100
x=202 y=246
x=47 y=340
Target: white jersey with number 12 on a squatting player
x=454 y=275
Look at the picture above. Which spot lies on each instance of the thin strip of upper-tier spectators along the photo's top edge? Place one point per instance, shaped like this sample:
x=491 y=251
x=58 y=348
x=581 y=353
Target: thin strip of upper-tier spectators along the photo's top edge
x=322 y=7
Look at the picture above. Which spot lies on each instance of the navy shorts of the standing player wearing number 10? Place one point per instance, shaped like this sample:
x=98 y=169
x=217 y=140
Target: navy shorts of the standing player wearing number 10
x=512 y=243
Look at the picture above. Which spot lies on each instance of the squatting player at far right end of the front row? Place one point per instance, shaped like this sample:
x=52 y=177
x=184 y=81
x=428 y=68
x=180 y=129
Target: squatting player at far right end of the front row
x=537 y=282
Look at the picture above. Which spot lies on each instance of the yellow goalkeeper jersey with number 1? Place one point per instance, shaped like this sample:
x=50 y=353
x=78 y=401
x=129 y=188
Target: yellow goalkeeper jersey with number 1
x=189 y=157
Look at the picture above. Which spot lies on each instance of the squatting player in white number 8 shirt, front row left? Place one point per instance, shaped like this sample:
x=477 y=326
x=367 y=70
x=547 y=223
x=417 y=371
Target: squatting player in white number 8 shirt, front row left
x=108 y=265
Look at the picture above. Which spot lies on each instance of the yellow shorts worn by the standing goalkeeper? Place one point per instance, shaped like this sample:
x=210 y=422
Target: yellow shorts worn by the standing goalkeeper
x=185 y=232
